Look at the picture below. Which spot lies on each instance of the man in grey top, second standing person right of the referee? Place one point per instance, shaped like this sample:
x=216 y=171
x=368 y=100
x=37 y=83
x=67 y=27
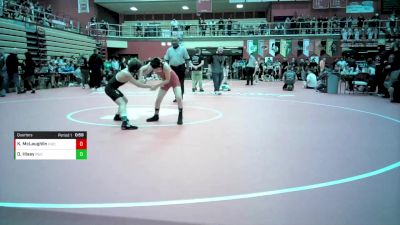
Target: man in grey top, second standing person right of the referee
x=216 y=67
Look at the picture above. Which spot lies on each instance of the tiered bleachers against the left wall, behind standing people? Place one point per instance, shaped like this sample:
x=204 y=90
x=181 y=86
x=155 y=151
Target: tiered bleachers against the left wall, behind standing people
x=43 y=43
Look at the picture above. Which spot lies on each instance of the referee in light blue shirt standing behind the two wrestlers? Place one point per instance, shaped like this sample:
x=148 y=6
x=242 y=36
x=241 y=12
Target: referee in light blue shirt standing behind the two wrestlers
x=177 y=56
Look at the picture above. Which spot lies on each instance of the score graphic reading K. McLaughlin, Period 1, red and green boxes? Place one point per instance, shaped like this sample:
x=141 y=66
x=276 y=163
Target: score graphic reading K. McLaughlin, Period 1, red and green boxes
x=50 y=145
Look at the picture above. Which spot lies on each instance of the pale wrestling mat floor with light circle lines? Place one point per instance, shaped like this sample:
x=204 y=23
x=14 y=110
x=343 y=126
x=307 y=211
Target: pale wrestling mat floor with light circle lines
x=254 y=155
